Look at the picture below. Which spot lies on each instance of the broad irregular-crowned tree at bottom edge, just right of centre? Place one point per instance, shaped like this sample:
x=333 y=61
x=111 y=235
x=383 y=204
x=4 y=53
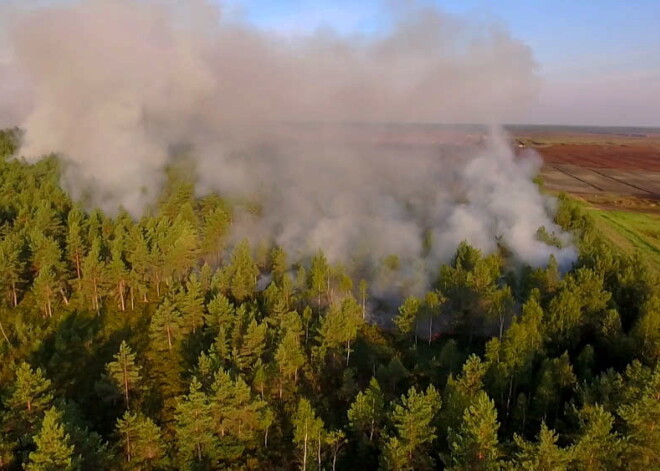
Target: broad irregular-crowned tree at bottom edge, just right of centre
x=413 y=420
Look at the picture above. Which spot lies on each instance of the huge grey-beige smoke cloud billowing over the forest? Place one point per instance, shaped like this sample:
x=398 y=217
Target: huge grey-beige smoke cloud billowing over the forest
x=114 y=85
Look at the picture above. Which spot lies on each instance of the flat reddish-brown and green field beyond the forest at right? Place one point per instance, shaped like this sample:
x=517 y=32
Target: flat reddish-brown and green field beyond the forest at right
x=615 y=172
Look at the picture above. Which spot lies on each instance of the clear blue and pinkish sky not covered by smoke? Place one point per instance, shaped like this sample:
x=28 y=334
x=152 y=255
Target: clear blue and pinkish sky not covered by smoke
x=599 y=60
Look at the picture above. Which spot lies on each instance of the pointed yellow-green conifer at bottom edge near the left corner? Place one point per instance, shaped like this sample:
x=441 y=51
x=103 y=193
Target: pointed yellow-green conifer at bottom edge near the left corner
x=54 y=450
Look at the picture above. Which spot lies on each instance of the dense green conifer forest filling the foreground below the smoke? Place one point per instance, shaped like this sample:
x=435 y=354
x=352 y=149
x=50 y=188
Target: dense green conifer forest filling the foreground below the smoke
x=163 y=343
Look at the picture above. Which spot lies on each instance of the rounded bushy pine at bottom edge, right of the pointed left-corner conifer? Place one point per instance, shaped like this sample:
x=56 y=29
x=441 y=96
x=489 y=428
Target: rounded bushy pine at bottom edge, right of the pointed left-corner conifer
x=141 y=441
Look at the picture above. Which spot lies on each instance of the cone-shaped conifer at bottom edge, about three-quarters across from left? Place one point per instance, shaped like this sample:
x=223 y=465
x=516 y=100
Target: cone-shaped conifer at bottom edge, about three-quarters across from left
x=474 y=445
